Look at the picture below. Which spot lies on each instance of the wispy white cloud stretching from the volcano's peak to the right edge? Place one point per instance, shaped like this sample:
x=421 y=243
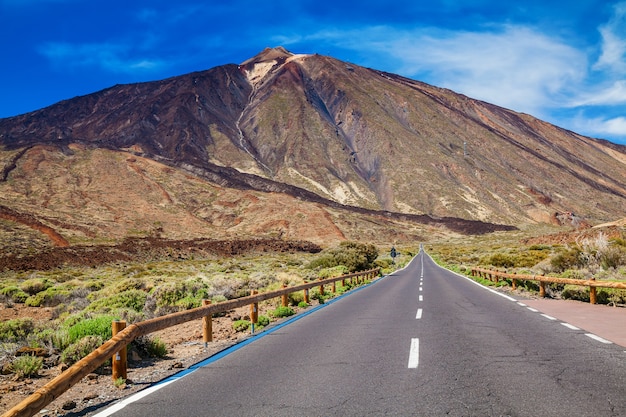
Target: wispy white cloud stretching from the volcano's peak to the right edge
x=520 y=67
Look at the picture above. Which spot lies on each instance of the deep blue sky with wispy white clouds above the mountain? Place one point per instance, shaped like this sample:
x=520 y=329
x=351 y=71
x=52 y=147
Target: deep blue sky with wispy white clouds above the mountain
x=561 y=61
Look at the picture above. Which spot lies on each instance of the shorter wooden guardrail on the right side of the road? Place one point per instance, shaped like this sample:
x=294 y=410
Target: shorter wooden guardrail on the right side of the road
x=591 y=283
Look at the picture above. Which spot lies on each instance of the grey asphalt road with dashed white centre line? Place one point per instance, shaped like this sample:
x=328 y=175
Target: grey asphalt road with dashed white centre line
x=420 y=342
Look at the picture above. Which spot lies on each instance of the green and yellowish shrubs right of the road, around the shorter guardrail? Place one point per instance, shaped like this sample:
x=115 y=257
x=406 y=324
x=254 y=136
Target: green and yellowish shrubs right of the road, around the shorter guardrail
x=588 y=256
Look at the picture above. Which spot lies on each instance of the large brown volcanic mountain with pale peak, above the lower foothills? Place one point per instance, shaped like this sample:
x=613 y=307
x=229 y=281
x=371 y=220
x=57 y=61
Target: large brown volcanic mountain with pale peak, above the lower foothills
x=331 y=133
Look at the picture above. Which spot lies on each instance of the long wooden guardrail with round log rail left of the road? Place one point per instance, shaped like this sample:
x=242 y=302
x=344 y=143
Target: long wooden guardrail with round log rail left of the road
x=115 y=347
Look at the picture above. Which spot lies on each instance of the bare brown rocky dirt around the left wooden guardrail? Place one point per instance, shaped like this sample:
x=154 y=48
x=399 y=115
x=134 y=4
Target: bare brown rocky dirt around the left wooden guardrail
x=96 y=391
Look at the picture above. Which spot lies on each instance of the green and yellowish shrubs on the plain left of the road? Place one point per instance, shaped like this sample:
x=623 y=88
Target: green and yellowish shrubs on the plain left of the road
x=82 y=301
